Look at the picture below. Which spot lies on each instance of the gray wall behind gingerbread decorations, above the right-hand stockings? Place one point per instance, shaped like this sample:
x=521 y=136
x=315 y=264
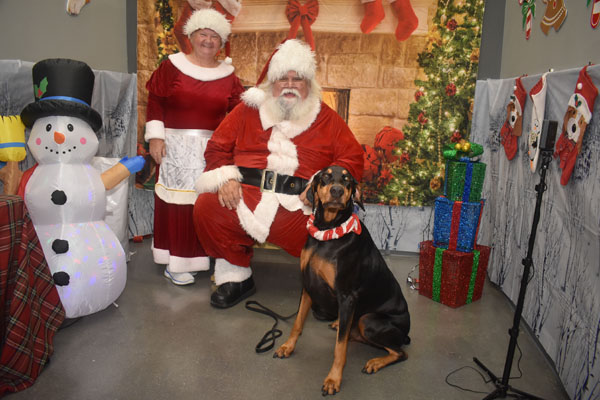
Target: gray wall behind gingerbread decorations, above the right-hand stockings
x=574 y=45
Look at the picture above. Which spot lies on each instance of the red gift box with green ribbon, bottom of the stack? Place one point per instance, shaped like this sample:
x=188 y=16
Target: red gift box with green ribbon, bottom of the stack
x=450 y=277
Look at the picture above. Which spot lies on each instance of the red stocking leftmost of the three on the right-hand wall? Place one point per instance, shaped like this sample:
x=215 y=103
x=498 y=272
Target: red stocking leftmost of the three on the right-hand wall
x=513 y=125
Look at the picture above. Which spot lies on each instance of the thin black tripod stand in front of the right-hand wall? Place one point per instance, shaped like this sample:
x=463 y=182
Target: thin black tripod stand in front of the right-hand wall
x=503 y=389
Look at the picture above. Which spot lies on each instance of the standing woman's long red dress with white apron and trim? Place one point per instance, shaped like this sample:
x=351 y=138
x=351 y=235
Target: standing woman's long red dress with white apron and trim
x=185 y=105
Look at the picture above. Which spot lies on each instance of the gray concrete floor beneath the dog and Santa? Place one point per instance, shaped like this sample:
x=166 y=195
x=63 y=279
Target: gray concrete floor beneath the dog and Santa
x=167 y=342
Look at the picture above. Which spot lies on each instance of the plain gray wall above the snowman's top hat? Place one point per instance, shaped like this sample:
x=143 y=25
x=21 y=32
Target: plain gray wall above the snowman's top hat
x=32 y=30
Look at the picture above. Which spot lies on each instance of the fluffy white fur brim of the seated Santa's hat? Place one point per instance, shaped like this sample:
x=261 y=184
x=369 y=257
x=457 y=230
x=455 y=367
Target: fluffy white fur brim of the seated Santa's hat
x=292 y=55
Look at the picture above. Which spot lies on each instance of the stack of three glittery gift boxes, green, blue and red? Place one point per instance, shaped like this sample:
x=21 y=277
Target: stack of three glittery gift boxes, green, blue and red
x=452 y=266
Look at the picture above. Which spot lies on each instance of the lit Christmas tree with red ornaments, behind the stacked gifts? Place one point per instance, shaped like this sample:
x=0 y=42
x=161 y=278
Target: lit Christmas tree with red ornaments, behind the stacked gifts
x=442 y=107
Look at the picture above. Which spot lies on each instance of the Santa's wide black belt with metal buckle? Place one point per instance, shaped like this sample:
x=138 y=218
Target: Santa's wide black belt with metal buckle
x=270 y=181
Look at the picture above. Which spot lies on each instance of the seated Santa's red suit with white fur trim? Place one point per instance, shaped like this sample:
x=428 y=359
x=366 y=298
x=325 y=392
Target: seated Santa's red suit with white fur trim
x=251 y=137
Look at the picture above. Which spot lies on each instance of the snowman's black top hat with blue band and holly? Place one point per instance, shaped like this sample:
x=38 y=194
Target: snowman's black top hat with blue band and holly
x=62 y=87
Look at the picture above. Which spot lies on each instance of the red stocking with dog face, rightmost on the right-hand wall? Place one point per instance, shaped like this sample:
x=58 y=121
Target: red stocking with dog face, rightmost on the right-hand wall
x=577 y=117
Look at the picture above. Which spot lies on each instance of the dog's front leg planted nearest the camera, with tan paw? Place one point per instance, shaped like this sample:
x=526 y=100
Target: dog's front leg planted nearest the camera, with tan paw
x=333 y=381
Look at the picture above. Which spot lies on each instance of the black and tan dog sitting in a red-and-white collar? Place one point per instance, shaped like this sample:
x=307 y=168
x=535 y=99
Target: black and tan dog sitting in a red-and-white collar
x=344 y=276
